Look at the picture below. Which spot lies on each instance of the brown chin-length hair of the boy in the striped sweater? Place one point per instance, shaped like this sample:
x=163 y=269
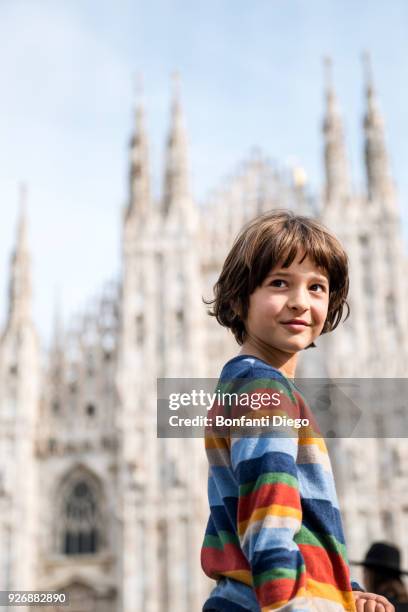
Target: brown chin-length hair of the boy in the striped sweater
x=263 y=243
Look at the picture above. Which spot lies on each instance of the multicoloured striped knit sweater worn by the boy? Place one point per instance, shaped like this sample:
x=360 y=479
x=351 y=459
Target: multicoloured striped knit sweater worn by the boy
x=274 y=539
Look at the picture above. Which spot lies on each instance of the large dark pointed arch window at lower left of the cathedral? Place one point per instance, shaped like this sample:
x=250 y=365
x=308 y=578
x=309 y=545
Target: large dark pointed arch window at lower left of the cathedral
x=80 y=531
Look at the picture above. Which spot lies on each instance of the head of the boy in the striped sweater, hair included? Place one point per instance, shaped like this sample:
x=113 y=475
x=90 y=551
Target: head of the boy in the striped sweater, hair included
x=281 y=267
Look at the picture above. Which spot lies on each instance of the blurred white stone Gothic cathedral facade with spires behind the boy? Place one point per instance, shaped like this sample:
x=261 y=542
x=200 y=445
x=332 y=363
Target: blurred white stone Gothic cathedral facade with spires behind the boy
x=91 y=501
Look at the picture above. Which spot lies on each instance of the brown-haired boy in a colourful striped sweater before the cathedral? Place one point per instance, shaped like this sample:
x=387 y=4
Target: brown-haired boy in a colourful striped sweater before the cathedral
x=274 y=539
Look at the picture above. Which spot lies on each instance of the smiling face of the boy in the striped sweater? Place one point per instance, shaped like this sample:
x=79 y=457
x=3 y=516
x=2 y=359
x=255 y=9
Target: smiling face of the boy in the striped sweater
x=300 y=292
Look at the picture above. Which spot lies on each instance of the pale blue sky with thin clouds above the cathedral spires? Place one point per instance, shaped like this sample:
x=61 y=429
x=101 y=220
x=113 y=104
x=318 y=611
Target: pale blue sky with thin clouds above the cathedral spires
x=251 y=76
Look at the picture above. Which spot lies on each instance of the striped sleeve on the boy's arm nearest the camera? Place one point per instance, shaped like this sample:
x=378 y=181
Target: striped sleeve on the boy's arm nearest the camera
x=269 y=507
